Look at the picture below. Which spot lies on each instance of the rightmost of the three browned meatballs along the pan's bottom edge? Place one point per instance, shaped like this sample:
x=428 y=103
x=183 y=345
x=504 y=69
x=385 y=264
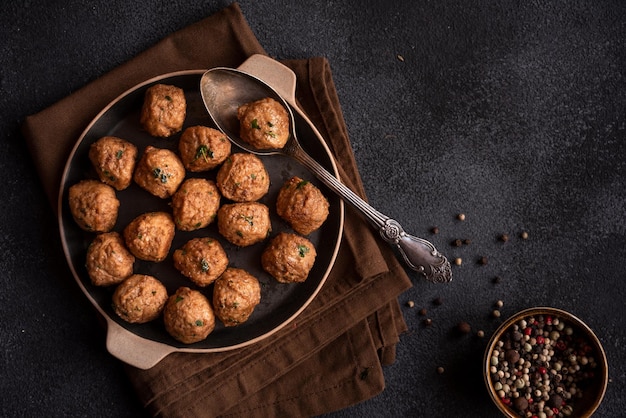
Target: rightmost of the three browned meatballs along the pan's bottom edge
x=235 y=295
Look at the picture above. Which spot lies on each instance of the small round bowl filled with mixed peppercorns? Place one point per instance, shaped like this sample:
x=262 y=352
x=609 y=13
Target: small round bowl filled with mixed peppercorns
x=545 y=362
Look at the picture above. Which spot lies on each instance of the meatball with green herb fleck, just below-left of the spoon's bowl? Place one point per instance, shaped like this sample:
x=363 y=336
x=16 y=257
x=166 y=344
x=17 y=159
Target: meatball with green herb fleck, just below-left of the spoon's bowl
x=202 y=148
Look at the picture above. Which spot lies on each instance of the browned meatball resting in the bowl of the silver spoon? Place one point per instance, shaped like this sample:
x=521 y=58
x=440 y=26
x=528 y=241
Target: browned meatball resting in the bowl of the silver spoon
x=264 y=124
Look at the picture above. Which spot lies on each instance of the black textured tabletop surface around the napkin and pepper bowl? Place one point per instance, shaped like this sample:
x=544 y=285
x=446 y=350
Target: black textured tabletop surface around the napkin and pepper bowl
x=510 y=112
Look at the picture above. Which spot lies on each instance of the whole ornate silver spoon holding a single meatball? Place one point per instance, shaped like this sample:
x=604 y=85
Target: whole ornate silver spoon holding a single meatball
x=223 y=90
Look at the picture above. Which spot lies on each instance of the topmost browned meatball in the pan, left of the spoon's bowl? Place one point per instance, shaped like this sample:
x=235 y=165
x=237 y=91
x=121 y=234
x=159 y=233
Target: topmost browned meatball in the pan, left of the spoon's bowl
x=164 y=110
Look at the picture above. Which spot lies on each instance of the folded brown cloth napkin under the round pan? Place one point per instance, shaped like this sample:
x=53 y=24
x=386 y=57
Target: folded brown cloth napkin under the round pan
x=331 y=356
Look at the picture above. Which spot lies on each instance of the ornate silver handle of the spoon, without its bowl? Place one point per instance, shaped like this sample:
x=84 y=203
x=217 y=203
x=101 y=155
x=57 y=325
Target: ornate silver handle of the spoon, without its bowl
x=419 y=254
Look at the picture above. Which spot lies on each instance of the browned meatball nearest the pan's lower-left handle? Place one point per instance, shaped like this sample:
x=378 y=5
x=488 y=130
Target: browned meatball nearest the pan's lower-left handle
x=139 y=299
